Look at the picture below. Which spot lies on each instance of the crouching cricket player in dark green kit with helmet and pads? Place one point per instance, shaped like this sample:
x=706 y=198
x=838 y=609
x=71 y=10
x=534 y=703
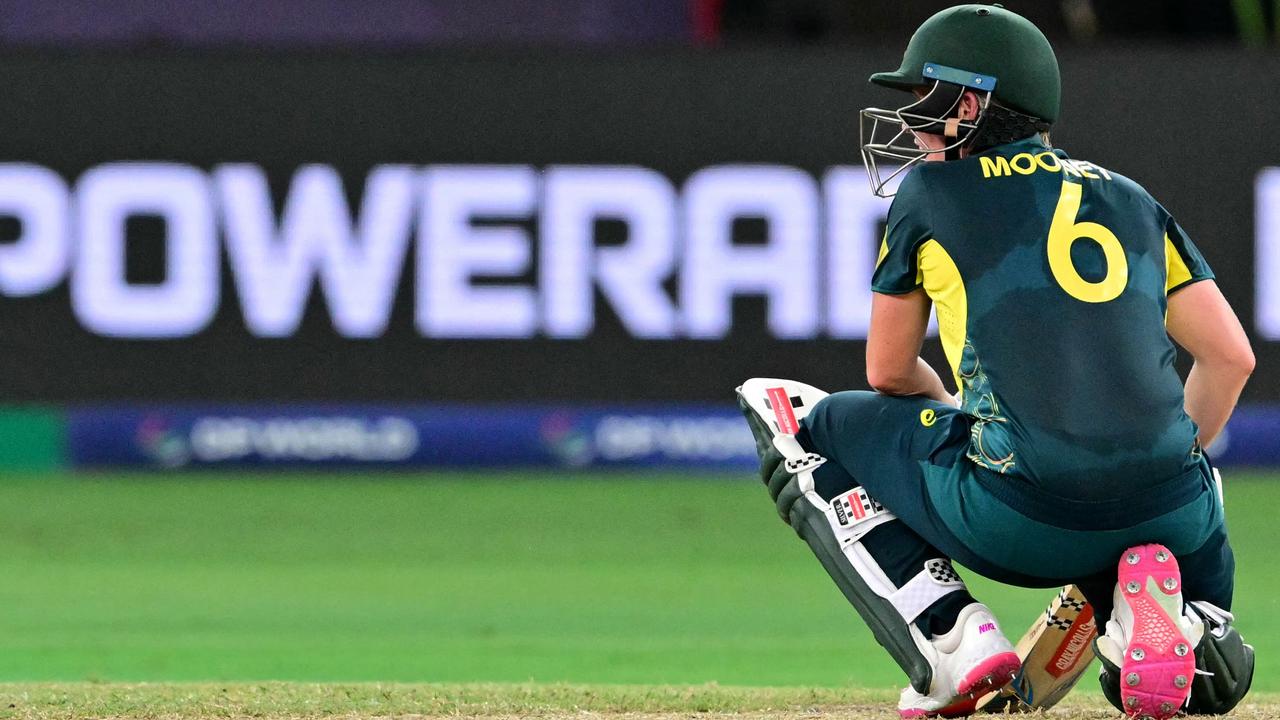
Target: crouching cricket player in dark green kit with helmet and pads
x=1073 y=453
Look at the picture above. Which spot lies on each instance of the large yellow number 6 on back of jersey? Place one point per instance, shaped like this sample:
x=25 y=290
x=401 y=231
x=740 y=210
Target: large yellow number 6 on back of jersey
x=1064 y=233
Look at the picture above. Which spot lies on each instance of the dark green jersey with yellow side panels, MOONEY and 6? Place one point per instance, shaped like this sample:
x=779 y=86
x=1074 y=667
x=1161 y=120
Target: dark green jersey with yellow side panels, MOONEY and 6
x=1050 y=279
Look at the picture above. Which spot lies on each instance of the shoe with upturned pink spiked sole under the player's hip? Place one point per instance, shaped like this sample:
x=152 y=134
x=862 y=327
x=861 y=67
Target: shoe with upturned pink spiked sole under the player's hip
x=1150 y=637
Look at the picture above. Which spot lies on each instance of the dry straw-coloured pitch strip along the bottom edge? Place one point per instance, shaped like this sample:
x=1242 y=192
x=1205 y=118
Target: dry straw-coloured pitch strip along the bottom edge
x=75 y=701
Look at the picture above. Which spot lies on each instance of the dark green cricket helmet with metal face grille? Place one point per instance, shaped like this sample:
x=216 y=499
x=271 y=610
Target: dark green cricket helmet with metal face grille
x=986 y=49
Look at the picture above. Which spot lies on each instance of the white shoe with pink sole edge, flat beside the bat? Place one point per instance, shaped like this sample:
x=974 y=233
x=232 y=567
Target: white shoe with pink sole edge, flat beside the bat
x=971 y=660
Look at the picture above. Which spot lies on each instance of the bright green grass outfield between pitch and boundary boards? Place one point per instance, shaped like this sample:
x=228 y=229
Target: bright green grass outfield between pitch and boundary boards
x=461 y=578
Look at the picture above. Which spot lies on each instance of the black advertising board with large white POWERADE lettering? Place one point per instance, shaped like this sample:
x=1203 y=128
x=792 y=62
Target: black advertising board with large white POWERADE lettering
x=519 y=227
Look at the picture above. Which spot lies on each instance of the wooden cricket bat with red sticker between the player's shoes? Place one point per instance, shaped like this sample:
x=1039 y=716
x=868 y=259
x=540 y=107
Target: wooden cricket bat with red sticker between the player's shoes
x=1055 y=653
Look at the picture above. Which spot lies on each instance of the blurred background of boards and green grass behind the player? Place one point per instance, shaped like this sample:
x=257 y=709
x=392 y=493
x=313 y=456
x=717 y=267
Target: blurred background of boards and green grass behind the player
x=397 y=339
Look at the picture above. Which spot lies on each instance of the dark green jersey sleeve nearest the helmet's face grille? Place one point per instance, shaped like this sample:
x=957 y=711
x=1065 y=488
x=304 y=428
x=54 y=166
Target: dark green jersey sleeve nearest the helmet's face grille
x=897 y=267
